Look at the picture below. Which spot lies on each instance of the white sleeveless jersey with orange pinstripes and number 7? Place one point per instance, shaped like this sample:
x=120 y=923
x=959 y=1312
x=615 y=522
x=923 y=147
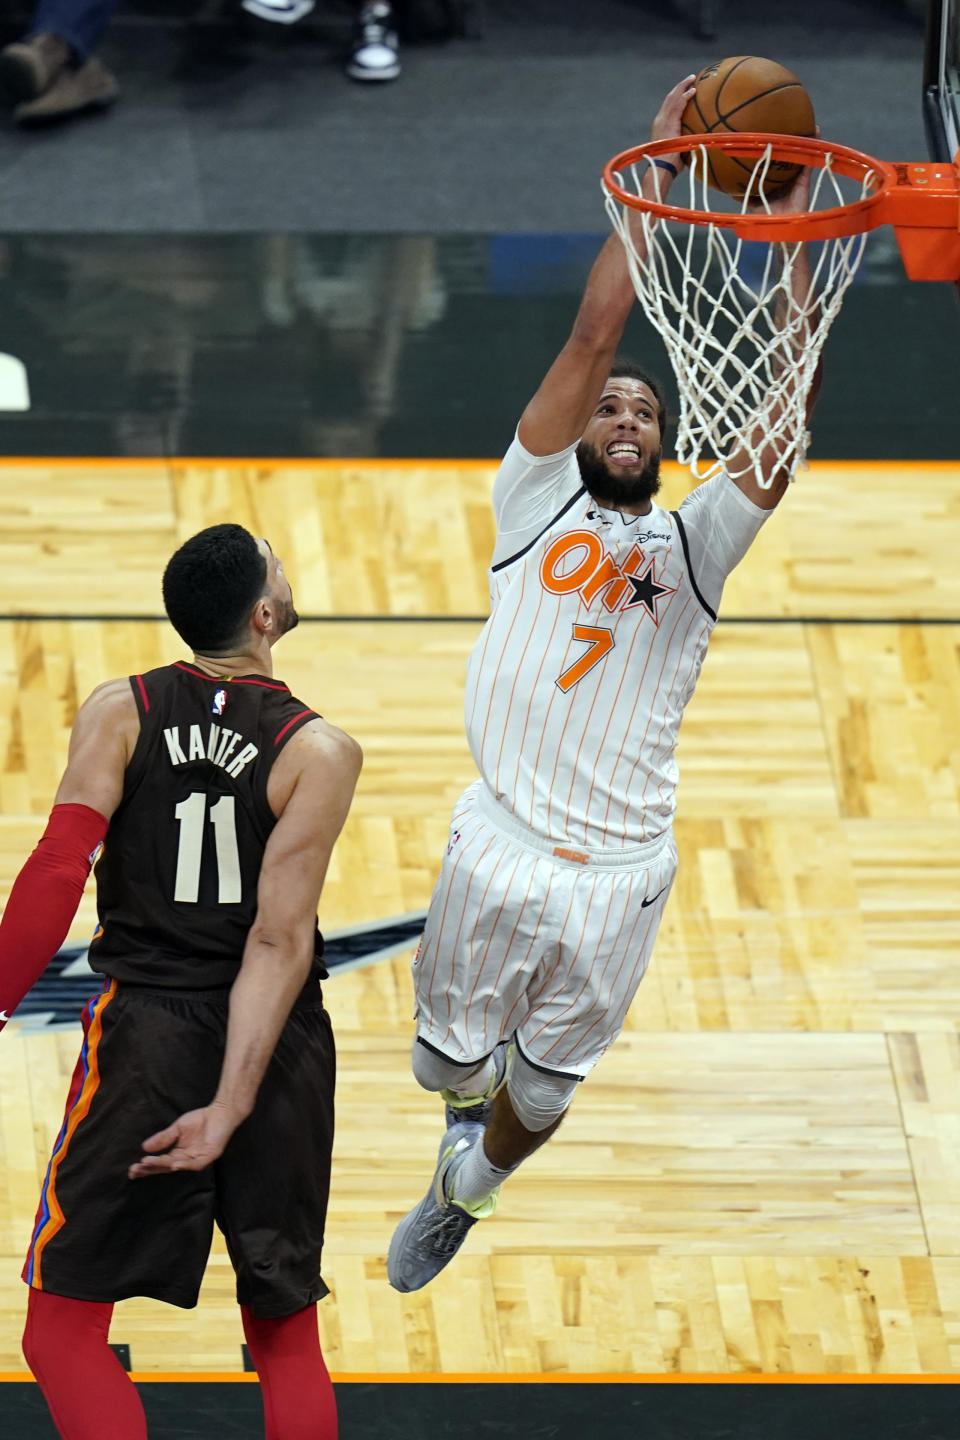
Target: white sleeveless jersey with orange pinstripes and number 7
x=587 y=637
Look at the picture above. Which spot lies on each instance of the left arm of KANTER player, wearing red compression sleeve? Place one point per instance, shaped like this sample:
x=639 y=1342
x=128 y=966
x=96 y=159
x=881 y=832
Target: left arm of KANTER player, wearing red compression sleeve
x=48 y=891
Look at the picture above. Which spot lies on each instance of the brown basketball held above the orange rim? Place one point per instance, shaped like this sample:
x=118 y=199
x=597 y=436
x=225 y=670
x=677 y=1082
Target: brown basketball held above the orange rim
x=748 y=93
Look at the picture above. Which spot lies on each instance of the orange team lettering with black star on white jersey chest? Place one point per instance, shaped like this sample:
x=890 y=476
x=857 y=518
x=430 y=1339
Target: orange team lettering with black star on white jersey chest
x=579 y=562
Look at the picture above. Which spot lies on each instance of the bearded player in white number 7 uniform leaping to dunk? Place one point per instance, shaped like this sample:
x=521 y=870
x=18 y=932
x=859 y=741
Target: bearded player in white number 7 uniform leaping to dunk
x=562 y=856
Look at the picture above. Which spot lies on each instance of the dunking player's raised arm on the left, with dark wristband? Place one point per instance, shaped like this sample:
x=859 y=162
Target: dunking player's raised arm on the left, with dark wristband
x=562 y=407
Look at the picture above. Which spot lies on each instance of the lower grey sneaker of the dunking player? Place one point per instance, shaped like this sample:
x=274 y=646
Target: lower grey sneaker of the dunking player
x=428 y=1239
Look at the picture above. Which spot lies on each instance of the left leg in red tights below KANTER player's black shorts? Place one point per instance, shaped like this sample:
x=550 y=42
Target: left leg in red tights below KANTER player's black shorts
x=90 y=1393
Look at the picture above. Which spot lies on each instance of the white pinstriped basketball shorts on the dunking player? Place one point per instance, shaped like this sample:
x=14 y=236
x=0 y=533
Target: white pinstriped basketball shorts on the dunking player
x=533 y=941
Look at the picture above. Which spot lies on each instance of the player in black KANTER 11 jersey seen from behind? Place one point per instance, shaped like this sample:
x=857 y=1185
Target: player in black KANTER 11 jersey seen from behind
x=205 y=1085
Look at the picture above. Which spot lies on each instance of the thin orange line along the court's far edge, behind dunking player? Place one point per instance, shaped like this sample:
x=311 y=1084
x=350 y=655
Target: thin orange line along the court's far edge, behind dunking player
x=376 y=463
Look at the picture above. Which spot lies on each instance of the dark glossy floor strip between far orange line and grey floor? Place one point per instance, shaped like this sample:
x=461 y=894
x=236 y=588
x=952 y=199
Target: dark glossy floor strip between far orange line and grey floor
x=395 y=346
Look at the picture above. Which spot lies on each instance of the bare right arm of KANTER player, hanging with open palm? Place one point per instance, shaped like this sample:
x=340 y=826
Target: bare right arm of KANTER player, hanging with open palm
x=319 y=770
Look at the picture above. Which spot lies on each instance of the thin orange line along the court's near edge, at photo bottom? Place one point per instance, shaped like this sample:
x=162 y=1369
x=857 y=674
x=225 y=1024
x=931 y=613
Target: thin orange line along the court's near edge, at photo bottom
x=361 y=1379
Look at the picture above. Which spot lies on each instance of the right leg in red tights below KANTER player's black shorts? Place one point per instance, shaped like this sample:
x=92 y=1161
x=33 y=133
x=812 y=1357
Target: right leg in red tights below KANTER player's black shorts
x=299 y=1398
